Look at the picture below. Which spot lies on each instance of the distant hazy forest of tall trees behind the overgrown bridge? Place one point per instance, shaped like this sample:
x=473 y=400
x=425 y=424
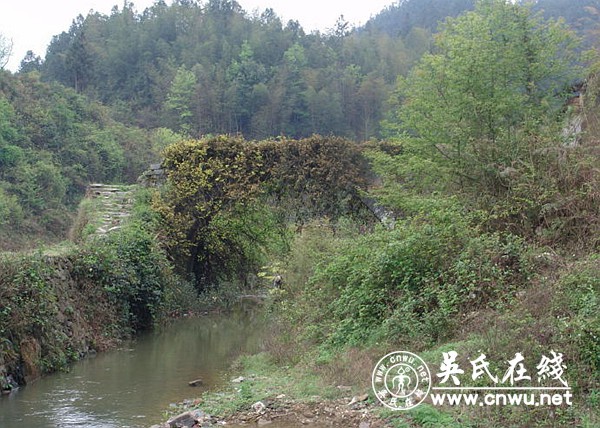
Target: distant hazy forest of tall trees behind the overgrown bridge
x=211 y=67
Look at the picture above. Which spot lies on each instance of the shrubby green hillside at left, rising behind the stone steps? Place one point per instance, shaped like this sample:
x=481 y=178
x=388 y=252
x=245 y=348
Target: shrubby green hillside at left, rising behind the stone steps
x=53 y=143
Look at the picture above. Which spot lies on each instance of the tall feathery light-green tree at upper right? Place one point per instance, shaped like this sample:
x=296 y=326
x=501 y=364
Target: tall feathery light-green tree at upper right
x=499 y=75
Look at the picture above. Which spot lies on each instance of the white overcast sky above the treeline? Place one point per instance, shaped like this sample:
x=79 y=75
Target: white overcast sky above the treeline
x=30 y=24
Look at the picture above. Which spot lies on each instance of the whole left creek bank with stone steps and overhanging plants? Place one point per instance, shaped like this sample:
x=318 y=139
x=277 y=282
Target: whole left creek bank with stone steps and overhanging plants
x=116 y=282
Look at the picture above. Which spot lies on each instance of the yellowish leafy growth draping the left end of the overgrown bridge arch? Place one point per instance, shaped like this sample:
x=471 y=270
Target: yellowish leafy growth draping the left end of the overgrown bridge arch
x=207 y=180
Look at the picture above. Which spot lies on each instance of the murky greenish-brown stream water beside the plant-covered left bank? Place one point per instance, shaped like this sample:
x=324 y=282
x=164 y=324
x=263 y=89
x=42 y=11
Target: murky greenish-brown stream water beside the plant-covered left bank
x=134 y=385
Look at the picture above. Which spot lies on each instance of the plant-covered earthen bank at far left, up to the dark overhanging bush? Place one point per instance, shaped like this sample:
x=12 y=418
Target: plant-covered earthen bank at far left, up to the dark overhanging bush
x=51 y=315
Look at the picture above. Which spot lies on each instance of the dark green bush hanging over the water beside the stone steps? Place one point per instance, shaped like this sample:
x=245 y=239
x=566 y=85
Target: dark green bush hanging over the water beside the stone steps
x=133 y=270
